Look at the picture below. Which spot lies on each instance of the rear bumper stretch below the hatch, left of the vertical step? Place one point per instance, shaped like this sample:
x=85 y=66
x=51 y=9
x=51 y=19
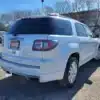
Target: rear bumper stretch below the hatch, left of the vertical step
x=20 y=69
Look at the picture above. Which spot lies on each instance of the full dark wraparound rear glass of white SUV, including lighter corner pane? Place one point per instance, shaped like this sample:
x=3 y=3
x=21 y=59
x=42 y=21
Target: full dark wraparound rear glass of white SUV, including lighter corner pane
x=42 y=26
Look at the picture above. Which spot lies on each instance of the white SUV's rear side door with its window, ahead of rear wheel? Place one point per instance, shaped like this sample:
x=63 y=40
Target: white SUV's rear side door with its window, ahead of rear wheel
x=85 y=43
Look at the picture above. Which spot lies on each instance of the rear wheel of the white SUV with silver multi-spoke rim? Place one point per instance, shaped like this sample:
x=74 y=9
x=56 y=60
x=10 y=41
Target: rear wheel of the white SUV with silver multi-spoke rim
x=68 y=80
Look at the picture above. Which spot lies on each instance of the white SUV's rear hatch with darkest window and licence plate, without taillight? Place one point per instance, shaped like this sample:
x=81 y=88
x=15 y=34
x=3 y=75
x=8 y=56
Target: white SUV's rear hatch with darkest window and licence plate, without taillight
x=19 y=41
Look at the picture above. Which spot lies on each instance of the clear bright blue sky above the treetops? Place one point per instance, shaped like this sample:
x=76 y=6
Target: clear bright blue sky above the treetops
x=11 y=5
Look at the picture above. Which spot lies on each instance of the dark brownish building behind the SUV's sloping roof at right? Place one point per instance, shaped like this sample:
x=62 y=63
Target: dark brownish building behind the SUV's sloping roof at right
x=91 y=18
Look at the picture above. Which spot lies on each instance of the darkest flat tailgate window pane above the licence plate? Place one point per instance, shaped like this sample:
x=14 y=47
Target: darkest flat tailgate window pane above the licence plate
x=32 y=26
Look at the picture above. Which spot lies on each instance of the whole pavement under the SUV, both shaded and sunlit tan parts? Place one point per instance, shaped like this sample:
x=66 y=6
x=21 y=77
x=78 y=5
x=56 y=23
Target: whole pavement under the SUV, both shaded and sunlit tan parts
x=86 y=88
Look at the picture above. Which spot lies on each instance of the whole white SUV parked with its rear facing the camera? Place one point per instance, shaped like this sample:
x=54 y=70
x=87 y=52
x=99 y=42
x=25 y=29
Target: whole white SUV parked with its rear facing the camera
x=48 y=48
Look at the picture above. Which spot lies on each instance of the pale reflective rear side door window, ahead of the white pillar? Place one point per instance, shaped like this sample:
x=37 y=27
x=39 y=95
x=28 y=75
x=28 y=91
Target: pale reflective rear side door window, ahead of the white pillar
x=80 y=30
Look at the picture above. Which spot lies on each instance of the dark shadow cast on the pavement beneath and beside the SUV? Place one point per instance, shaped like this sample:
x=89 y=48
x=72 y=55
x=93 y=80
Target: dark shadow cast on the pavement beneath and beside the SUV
x=19 y=88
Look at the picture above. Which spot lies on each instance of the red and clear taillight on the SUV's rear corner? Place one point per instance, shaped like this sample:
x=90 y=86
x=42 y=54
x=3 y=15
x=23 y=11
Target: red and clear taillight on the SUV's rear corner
x=44 y=45
